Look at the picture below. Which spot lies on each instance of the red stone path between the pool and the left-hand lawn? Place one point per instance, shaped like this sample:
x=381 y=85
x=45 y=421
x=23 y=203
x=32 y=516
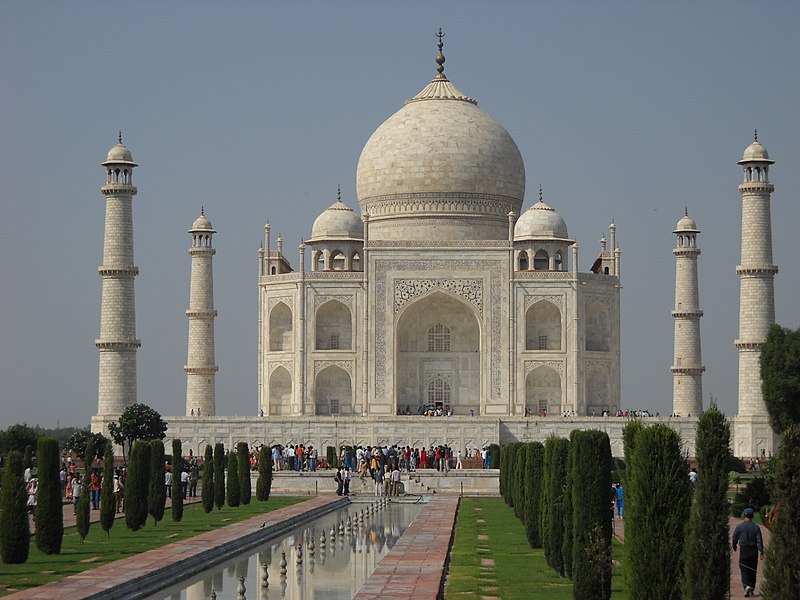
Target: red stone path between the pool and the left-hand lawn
x=189 y=556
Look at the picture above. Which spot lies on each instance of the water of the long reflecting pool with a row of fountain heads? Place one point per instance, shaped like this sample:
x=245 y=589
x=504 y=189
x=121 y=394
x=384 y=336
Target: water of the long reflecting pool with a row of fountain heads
x=335 y=571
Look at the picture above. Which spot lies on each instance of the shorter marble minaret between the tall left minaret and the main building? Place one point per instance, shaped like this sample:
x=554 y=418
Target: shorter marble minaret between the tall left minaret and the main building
x=200 y=368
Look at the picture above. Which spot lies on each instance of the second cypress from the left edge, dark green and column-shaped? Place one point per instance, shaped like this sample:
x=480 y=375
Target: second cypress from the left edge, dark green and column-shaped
x=49 y=511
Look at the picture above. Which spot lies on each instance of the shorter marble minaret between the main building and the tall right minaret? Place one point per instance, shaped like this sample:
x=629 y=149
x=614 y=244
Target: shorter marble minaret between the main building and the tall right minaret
x=687 y=372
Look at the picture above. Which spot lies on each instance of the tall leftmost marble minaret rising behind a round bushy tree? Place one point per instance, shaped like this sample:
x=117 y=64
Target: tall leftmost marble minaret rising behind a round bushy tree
x=117 y=343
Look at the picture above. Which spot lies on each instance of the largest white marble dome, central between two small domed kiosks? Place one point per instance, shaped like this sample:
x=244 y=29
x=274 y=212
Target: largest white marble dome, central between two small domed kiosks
x=444 y=165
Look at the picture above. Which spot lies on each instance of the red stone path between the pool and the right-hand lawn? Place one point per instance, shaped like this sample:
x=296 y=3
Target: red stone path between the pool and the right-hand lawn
x=414 y=569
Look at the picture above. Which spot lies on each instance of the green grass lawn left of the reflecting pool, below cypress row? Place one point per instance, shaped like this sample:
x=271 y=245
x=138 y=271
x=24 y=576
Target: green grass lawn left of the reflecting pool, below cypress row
x=98 y=550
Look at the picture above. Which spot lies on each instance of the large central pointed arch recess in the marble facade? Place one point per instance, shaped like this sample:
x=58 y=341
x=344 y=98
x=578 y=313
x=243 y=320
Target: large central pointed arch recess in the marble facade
x=438 y=345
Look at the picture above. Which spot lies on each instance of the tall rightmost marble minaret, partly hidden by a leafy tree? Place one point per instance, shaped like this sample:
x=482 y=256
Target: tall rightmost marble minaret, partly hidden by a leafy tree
x=756 y=273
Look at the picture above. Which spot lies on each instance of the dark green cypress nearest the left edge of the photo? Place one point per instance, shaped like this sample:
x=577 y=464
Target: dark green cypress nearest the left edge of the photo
x=15 y=528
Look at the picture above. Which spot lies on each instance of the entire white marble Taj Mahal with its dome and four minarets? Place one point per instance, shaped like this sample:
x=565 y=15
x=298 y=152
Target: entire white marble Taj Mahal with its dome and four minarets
x=438 y=293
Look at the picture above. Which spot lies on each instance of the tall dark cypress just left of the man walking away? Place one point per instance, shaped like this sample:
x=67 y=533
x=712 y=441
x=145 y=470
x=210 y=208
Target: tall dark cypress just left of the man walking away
x=707 y=554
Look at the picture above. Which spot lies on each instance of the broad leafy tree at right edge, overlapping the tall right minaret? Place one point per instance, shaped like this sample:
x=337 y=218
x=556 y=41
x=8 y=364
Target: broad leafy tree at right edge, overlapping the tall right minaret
x=780 y=377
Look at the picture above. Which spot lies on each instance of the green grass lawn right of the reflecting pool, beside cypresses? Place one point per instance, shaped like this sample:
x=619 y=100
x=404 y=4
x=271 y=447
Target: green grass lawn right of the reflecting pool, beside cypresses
x=486 y=531
